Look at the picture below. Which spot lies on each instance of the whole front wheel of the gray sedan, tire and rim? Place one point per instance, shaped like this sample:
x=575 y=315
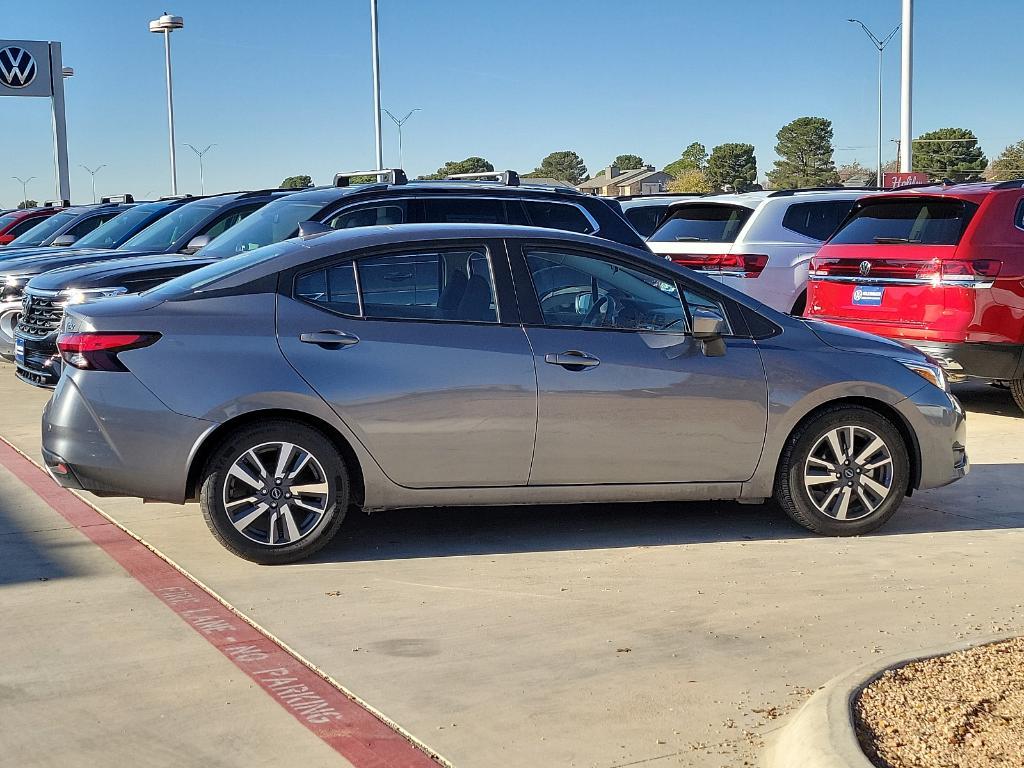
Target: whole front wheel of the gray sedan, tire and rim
x=843 y=473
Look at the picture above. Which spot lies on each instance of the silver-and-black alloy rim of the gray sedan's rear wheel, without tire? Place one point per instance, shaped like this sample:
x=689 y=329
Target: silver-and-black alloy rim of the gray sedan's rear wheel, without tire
x=276 y=494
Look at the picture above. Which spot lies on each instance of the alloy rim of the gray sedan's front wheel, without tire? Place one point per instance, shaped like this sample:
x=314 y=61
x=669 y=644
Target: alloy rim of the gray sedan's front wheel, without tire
x=849 y=474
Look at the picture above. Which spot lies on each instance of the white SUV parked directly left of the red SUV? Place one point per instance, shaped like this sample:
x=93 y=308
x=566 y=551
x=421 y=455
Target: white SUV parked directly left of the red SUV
x=760 y=243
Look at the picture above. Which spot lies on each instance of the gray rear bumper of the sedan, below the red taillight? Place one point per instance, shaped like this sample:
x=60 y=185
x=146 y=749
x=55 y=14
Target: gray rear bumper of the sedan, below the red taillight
x=107 y=434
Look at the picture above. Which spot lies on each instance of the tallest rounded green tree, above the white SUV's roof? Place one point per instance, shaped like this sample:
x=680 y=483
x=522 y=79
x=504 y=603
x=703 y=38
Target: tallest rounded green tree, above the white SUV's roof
x=805 y=155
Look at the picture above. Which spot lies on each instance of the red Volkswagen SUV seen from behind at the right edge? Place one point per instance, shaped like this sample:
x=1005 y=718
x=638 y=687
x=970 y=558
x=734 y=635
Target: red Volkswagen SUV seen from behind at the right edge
x=941 y=268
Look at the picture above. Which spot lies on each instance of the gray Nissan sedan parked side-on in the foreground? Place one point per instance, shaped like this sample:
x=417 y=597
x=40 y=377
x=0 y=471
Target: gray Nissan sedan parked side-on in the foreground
x=437 y=365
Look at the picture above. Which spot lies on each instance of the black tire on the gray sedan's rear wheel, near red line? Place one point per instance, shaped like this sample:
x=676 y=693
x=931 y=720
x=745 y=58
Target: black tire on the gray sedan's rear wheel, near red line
x=322 y=526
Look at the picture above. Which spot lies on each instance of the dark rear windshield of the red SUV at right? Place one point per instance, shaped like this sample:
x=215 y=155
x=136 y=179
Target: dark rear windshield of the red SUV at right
x=926 y=222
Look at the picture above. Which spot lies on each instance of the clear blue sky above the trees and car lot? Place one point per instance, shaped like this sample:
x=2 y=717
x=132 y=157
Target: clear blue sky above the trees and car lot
x=285 y=88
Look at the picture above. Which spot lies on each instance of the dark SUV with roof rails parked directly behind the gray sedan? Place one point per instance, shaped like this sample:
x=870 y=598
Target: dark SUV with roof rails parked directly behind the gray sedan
x=495 y=198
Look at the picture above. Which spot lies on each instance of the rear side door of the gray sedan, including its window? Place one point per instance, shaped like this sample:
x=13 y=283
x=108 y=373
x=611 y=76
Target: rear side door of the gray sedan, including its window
x=420 y=352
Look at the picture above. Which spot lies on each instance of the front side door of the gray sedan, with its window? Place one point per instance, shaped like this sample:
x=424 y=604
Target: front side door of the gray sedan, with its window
x=626 y=395
